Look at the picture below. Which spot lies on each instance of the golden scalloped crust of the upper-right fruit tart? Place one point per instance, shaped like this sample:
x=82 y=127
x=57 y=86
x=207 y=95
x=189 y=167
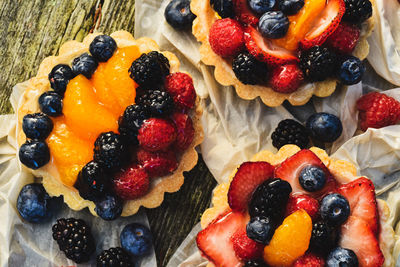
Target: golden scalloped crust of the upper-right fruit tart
x=224 y=74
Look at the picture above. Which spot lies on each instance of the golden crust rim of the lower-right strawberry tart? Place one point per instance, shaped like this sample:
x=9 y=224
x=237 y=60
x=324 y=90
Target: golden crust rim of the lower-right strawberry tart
x=343 y=171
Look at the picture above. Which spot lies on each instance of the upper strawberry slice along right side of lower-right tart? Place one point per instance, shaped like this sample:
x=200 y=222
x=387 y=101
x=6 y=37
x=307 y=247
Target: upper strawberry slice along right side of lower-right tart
x=361 y=196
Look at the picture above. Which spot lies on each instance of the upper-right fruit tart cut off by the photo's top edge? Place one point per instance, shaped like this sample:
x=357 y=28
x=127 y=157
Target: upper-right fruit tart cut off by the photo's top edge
x=284 y=49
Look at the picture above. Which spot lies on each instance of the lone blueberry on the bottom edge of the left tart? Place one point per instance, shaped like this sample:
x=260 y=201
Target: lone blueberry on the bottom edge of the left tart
x=109 y=207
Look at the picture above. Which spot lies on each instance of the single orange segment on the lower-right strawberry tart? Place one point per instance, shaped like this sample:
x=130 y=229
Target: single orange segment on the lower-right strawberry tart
x=290 y=241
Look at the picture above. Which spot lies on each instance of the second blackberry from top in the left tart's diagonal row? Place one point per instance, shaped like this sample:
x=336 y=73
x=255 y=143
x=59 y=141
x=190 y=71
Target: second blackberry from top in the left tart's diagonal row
x=159 y=103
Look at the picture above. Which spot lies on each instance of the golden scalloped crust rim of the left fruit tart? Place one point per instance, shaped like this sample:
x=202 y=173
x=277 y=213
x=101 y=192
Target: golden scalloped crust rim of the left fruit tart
x=28 y=103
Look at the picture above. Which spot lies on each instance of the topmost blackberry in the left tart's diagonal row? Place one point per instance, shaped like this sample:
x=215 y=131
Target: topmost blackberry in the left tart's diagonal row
x=149 y=69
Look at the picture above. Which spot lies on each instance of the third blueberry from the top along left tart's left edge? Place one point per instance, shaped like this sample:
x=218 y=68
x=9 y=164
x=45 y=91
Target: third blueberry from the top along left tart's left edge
x=59 y=77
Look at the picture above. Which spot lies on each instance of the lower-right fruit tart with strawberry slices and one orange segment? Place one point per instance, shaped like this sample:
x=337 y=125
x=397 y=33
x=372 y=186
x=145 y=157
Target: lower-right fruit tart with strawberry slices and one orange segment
x=296 y=208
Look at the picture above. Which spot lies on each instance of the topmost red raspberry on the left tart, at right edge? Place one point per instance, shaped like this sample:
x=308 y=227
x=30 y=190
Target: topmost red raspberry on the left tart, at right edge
x=180 y=87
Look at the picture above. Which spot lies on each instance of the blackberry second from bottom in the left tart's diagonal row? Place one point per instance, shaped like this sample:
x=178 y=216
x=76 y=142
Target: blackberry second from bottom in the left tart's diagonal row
x=110 y=150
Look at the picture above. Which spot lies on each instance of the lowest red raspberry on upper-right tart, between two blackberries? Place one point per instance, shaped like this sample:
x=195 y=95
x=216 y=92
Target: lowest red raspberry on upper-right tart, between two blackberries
x=286 y=78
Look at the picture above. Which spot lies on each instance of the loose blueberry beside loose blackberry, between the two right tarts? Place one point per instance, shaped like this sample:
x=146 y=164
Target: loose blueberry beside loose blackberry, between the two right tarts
x=324 y=127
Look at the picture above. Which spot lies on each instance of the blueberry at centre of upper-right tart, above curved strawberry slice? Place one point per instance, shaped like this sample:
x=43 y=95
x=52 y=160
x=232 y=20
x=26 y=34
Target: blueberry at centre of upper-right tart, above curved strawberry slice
x=273 y=24
